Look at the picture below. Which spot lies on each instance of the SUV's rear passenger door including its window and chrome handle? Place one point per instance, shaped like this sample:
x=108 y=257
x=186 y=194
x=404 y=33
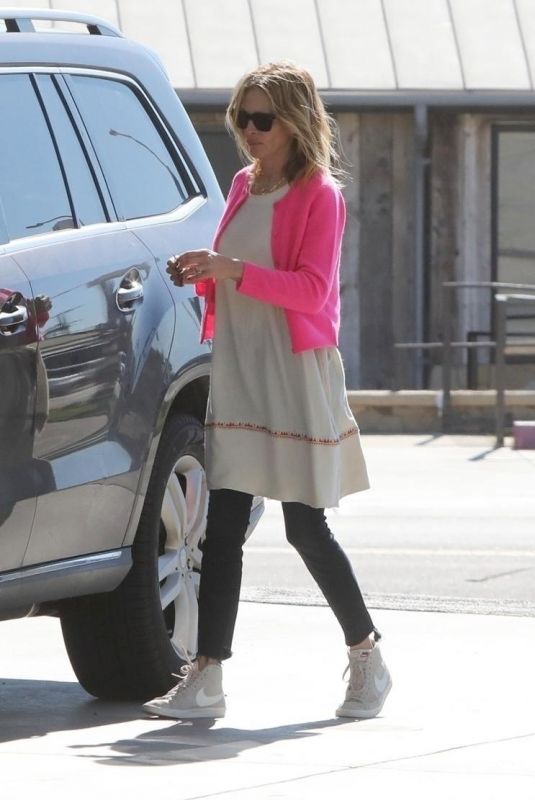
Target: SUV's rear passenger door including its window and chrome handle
x=107 y=311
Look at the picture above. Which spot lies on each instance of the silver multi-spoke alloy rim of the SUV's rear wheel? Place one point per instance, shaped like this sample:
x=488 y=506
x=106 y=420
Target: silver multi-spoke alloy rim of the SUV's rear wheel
x=183 y=524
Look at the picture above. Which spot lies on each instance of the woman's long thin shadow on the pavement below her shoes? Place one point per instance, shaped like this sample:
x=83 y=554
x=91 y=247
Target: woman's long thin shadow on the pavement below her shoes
x=195 y=741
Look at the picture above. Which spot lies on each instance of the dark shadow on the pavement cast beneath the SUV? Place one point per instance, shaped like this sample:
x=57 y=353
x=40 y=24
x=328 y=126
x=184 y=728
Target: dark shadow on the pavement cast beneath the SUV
x=34 y=708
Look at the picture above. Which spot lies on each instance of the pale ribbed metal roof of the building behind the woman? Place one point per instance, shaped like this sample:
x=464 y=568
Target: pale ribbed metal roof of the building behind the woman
x=361 y=53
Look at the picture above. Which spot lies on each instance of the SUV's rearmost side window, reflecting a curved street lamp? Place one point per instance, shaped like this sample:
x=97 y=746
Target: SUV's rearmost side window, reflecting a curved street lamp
x=139 y=165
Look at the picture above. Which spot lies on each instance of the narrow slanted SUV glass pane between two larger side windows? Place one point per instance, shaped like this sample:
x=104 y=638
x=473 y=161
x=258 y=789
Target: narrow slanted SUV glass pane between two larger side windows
x=87 y=202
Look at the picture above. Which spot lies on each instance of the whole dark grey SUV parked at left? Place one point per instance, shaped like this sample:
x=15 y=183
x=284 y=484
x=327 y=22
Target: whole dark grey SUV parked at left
x=103 y=381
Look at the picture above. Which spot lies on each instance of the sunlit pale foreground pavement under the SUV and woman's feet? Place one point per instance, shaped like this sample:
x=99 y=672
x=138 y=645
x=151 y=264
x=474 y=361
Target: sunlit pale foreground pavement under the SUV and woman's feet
x=459 y=722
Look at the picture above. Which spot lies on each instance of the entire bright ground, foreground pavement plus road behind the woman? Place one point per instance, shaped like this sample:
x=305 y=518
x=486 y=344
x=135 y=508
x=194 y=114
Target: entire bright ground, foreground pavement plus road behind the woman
x=458 y=724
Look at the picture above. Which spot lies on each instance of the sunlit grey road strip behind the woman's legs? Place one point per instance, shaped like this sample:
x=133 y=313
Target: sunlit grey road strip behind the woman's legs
x=448 y=525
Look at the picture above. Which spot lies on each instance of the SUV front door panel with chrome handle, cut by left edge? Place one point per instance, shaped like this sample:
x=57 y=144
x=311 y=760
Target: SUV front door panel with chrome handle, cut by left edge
x=19 y=471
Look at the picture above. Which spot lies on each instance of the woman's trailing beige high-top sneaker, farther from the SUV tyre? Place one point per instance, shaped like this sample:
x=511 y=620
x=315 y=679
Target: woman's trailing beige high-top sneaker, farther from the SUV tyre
x=368 y=686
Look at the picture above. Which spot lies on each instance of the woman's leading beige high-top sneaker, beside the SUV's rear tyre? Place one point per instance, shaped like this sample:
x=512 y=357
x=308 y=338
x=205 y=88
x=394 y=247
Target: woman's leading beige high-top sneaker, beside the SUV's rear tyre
x=199 y=694
